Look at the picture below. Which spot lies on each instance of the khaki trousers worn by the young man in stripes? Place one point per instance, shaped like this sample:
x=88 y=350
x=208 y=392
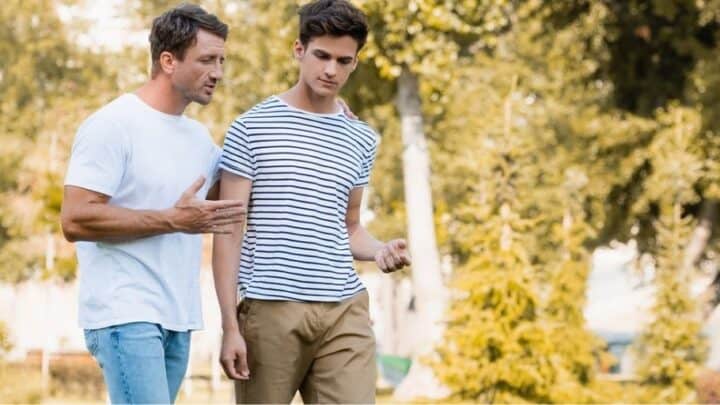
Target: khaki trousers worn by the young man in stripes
x=324 y=349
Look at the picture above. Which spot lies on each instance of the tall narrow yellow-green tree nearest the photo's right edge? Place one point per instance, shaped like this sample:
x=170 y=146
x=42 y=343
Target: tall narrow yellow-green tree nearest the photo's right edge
x=671 y=350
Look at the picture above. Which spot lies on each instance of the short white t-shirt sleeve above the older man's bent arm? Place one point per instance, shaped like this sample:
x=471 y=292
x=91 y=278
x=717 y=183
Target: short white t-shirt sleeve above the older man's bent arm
x=98 y=157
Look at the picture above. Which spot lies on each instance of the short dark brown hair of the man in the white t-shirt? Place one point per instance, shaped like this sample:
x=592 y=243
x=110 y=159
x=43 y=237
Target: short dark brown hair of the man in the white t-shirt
x=176 y=30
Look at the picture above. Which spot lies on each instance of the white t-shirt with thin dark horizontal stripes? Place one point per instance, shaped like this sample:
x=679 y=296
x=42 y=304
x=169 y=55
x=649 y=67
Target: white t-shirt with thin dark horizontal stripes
x=302 y=166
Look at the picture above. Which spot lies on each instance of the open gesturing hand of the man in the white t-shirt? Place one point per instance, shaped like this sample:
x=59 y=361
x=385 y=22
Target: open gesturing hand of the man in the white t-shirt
x=193 y=215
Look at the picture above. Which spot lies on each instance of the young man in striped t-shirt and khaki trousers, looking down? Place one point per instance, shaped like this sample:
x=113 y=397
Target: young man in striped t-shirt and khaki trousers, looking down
x=301 y=167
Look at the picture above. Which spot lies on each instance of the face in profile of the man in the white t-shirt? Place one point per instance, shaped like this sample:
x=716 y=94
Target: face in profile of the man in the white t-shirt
x=198 y=74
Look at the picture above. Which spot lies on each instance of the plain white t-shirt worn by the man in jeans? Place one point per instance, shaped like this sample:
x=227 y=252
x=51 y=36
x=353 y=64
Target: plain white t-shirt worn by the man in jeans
x=143 y=159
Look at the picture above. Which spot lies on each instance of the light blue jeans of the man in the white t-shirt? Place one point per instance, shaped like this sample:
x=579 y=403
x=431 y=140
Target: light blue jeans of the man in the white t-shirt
x=141 y=362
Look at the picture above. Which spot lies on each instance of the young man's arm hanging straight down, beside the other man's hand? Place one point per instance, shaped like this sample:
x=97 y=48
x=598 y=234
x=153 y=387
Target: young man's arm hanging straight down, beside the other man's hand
x=227 y=249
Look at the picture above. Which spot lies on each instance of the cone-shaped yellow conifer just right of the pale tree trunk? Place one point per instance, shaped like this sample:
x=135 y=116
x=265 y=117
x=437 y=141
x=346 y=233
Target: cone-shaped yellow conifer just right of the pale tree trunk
x=499 y=346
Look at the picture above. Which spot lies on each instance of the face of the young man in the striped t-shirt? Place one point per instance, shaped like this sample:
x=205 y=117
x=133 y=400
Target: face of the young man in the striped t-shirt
x=326 y=63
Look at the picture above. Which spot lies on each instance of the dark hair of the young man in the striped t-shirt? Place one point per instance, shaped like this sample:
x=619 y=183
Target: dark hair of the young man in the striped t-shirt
x=336 y=18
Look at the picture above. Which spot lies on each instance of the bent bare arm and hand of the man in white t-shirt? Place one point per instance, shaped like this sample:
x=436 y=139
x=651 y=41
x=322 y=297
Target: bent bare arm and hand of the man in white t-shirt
x=87 y=216
